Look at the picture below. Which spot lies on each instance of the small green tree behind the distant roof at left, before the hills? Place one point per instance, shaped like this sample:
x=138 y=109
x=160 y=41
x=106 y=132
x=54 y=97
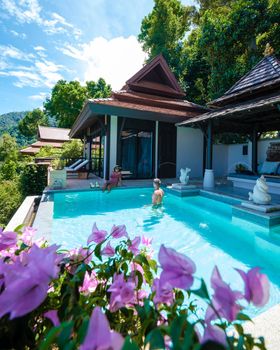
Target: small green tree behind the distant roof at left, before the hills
x=29 y=124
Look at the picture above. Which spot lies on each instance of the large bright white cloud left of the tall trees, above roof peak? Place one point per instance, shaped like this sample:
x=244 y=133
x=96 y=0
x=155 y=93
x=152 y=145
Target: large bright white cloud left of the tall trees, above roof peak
x=115 y=60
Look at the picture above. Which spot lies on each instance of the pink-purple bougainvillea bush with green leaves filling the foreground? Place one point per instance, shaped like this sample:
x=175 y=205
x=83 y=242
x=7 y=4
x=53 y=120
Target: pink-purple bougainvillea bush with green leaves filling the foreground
x=113 y=295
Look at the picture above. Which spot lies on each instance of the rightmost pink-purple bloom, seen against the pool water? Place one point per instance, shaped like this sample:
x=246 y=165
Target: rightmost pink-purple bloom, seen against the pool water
x=256 y=286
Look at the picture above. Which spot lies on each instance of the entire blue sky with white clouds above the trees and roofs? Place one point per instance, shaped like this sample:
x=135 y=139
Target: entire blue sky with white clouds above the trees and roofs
x=44 y=41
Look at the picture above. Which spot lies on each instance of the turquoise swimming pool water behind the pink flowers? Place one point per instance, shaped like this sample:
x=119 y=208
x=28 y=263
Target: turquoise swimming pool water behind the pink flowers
x=199 y=227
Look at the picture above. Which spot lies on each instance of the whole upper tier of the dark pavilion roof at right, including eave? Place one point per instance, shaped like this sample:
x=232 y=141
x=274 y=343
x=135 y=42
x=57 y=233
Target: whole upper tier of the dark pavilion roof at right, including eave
x=264 y=76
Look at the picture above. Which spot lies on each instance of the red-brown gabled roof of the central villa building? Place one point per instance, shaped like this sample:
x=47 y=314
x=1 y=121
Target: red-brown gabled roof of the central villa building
x=153 y=93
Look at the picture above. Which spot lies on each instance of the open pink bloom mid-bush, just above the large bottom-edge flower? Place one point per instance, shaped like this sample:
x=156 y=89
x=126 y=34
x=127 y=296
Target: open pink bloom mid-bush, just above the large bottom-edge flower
x=122 y=293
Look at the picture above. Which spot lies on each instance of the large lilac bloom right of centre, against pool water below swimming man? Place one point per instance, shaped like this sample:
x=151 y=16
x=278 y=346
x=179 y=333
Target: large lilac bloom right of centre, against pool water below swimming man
x=177 y=269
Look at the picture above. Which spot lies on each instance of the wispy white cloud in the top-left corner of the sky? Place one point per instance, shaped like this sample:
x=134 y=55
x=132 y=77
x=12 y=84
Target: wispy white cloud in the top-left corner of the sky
x=29 y=11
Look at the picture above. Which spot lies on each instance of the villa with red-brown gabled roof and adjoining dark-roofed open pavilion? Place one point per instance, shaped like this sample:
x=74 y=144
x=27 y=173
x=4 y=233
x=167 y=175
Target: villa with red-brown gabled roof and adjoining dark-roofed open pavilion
x=150 y=130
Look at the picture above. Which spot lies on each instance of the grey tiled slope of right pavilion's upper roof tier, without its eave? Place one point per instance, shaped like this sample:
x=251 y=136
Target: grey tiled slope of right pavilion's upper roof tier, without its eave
x=267 y=69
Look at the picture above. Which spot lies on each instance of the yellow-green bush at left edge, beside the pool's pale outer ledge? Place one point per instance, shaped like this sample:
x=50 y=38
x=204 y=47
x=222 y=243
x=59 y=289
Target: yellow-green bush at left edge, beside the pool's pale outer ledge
x=10 y=200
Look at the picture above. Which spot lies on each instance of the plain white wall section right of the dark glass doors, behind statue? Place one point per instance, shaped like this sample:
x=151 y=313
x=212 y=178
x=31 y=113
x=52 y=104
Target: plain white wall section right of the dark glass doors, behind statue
x=189 y=150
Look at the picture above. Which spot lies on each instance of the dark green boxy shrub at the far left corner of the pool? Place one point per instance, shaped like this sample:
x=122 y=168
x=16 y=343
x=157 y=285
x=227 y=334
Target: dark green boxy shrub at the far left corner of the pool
x=33 y=179
